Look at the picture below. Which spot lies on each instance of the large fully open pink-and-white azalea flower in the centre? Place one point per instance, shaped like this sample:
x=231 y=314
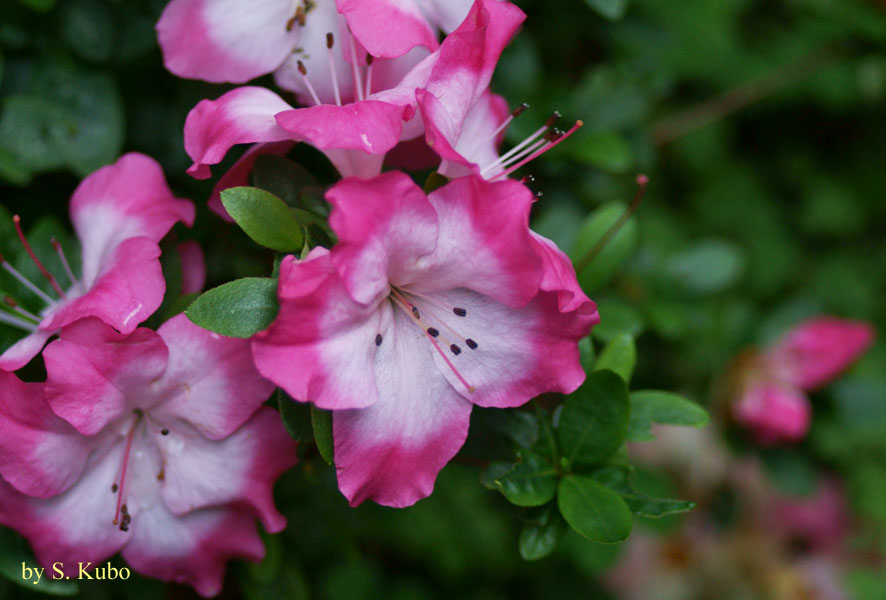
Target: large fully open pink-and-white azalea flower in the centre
x=427 y=305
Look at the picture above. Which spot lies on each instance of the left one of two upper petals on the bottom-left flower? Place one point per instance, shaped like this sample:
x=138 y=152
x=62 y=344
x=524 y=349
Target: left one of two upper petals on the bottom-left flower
x=96 y=375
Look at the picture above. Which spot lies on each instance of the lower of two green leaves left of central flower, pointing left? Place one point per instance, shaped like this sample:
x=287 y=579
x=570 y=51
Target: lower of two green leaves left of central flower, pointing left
x=239 y=308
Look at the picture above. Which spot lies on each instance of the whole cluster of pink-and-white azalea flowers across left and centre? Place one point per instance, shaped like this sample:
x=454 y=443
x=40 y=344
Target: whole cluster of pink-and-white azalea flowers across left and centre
x=155 y=443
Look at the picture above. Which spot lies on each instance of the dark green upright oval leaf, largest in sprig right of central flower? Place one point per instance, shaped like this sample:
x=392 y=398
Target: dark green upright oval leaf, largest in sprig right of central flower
x=594 y=420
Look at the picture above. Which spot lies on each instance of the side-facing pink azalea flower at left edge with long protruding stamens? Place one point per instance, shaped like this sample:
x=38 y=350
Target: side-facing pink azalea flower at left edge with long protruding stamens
x=120 y=213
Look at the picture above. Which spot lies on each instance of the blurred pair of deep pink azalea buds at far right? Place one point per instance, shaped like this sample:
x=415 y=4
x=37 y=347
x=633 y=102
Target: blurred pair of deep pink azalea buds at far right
x=772 y=402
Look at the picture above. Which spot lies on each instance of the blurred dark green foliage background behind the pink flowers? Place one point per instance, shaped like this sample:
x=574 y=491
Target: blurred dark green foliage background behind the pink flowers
x=761 y=125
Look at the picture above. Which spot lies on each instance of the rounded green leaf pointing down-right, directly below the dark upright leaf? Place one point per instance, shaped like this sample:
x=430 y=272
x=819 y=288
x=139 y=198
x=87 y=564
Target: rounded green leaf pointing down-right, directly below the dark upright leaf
x=593 y=510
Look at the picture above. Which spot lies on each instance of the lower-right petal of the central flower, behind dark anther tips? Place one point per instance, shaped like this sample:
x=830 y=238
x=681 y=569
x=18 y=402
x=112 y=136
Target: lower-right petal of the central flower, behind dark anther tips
x=514 y=354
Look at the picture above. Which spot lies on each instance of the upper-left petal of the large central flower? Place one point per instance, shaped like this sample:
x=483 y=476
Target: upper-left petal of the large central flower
x=384 y=226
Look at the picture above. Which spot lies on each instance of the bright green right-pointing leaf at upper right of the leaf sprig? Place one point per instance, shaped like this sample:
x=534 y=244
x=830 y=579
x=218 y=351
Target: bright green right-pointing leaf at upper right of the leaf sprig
x=650 y=406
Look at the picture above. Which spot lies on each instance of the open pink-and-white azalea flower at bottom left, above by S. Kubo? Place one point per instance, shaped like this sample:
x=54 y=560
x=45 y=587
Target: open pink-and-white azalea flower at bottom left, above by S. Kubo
x=150 y=444
